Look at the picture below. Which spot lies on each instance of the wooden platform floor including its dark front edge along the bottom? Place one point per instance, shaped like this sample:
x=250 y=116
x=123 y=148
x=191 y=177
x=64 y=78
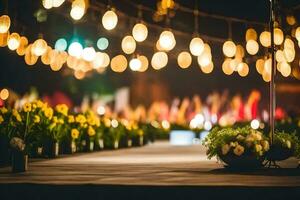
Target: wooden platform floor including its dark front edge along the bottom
x=158 y=169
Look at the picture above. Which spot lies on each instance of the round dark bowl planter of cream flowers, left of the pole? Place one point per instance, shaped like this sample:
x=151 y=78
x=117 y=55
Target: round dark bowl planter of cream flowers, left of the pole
x=242 y=147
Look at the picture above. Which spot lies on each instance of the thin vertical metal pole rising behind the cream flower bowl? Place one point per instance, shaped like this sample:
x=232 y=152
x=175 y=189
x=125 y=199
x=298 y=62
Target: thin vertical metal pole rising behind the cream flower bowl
x=273 y=72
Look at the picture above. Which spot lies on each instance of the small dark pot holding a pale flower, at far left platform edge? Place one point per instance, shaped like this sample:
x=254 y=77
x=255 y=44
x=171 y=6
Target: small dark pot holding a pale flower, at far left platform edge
x=19 y=161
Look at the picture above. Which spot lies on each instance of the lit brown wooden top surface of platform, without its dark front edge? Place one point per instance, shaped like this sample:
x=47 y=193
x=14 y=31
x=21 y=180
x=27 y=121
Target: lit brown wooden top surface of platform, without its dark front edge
x=158 y=164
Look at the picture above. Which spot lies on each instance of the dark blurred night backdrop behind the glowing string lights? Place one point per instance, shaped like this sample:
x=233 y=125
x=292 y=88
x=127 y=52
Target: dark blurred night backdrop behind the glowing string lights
x=151 y=85
